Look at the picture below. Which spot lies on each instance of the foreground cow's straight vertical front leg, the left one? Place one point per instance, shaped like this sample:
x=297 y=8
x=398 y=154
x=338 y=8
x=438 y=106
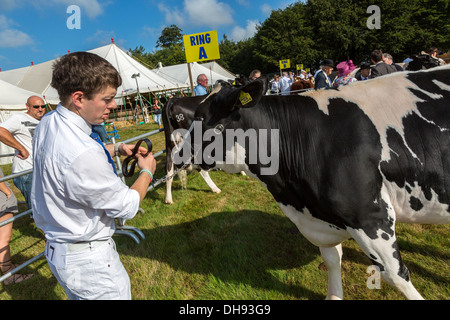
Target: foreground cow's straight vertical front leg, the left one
x=332 y=257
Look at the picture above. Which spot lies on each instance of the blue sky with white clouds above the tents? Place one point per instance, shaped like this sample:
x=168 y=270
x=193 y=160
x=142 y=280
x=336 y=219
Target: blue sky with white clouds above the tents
x=36 y=31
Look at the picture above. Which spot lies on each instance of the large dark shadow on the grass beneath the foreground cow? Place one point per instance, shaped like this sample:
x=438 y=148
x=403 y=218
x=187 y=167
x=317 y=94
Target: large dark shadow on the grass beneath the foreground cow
x=243 y=247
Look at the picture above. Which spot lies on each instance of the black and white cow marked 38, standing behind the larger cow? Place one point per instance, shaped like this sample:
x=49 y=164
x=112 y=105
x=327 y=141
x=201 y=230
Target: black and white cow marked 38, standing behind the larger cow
x=179 y=114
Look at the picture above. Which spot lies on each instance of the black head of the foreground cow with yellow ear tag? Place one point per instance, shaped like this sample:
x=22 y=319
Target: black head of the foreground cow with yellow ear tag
x=218 y=112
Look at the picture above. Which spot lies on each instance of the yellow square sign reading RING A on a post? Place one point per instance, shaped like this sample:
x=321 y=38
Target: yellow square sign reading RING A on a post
x=201 y=46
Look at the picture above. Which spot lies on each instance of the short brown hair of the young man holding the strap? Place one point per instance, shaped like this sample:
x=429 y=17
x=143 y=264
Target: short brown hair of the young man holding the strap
x=85 y=72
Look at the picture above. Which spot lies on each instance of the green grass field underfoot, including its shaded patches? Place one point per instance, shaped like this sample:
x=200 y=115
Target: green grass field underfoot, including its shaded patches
x=232 y=245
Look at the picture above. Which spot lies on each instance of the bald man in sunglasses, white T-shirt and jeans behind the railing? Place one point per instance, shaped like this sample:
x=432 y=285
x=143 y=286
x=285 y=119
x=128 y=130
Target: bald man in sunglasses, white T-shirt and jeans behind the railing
x=17 y=132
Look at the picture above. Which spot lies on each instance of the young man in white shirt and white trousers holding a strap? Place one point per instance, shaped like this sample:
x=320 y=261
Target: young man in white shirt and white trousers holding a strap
x=76 y=195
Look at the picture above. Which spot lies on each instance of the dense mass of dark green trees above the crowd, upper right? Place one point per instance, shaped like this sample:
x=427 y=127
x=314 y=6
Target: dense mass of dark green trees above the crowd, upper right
x=307 y=32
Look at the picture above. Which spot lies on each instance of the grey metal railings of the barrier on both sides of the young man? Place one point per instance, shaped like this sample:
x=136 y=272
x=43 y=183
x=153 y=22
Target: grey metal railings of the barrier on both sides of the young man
x=121 y=228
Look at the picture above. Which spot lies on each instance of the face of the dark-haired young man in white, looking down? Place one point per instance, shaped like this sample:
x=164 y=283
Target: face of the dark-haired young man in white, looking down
x=97 y=110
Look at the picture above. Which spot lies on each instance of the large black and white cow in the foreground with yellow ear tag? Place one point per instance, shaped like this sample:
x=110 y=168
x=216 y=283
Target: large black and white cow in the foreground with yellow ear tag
x=351 y=162
